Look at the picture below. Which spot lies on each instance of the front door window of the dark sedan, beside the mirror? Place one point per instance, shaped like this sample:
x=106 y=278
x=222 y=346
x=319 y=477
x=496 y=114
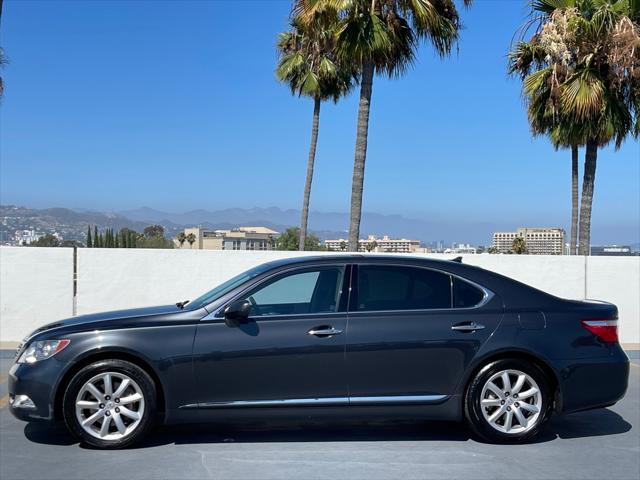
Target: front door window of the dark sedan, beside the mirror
x=308 y=291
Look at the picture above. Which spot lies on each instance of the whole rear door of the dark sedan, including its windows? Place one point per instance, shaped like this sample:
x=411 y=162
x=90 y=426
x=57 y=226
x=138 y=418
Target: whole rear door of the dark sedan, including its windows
x=412 y=332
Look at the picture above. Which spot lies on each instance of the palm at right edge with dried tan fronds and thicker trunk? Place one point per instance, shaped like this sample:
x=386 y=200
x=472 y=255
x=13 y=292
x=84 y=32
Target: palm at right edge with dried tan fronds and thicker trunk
x=587 y=88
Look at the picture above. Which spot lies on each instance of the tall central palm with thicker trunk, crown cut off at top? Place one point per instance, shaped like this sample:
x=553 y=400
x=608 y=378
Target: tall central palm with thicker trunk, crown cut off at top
x=381 y=36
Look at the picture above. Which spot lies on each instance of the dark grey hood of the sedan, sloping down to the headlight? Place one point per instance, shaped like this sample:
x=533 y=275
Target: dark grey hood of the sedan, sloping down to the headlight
x=112 y=319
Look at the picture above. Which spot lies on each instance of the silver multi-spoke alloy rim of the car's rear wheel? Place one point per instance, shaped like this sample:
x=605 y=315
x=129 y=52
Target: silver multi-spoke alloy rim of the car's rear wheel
x=511 y=402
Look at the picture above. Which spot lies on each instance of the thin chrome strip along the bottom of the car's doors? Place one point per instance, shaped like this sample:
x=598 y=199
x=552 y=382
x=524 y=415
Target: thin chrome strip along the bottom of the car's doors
x=327 y=401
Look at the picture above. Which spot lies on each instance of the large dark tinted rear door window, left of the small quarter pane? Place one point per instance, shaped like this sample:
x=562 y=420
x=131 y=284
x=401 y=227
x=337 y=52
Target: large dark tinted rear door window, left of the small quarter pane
x=402 y=288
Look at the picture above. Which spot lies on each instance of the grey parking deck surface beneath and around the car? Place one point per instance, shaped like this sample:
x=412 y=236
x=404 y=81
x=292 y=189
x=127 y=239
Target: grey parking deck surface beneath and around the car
x=598 y=444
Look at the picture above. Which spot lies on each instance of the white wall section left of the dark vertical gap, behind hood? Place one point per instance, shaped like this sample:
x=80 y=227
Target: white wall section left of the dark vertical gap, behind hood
x=36 y=287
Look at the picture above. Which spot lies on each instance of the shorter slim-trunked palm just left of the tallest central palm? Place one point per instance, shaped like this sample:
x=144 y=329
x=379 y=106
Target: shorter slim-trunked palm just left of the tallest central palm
x=309 y=66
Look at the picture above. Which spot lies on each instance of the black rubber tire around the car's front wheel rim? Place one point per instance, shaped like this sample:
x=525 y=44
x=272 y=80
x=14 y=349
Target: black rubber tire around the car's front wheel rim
x=138 y=375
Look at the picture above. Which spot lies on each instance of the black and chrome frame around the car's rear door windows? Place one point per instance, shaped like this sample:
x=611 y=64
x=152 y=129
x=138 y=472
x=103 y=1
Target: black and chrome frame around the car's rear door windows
x=353 y=297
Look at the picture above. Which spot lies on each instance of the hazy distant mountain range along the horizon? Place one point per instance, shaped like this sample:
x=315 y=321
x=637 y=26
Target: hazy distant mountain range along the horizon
x=72 y=223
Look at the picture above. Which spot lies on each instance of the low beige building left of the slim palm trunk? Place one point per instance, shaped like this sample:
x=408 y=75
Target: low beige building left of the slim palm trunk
x=241 y=238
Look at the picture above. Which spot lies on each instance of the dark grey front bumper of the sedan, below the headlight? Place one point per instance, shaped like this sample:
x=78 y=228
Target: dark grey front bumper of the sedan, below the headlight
x=36 y=381
